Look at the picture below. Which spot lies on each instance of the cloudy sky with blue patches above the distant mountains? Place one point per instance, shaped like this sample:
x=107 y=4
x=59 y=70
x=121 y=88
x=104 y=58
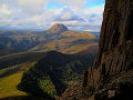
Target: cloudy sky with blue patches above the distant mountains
x=42 y=14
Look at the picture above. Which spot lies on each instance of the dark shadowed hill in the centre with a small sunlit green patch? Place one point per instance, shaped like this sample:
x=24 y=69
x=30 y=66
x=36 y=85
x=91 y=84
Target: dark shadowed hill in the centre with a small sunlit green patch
x=50 y=78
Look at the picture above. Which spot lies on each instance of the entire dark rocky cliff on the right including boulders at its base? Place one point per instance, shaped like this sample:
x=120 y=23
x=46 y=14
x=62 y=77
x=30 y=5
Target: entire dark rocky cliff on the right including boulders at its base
x=111 y=77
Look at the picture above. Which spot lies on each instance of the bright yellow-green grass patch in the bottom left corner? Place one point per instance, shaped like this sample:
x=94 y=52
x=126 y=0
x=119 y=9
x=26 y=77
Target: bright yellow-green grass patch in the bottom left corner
x=8 y=85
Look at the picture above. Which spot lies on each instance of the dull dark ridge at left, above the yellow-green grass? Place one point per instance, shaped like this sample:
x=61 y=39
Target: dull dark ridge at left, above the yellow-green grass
x=19 y=58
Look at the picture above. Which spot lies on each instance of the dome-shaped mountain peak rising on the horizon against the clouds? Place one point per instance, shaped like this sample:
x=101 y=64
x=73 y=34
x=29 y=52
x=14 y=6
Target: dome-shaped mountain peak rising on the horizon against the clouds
x=58 y=28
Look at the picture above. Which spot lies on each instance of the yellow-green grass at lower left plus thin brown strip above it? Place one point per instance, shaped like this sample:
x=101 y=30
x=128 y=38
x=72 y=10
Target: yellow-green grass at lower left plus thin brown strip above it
x=8 y=83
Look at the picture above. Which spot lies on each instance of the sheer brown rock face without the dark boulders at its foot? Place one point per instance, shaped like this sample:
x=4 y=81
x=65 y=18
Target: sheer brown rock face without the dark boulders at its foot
x=116 y=45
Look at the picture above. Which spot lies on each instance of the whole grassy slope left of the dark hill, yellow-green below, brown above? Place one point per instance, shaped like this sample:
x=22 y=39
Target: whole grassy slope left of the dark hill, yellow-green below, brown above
x=9 y=81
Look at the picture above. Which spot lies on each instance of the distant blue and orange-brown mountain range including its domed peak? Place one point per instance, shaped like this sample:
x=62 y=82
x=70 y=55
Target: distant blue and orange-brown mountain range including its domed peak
x=58 y=37
